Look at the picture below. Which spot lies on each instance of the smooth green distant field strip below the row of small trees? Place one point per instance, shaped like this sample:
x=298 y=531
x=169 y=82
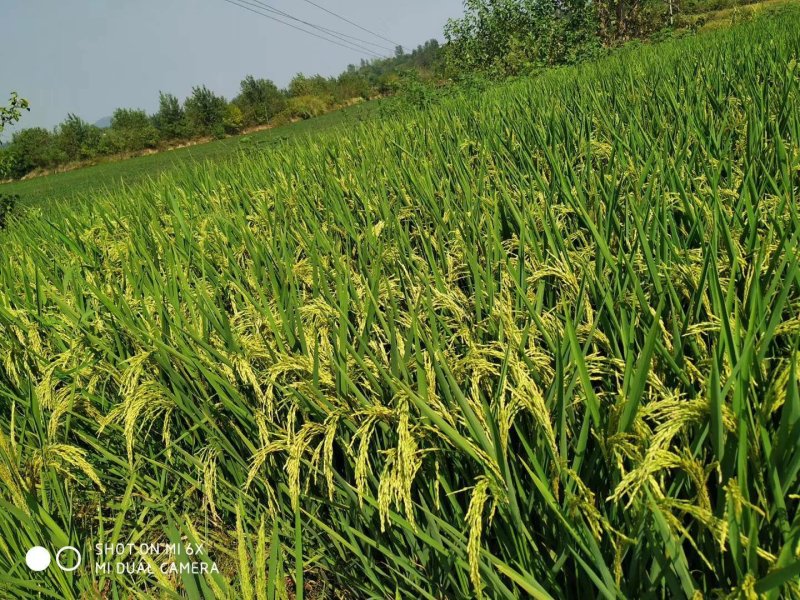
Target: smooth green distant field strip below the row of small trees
x=111 y=175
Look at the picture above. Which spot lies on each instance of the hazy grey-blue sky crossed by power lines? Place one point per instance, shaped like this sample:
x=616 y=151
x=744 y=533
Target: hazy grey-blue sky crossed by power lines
x=92 y=56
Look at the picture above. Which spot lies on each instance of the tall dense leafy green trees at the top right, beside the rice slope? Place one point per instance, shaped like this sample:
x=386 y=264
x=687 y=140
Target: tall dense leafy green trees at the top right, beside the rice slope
x=502 y=38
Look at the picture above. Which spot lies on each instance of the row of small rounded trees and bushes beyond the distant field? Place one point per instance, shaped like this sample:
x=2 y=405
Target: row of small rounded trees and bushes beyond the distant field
x=207 y=114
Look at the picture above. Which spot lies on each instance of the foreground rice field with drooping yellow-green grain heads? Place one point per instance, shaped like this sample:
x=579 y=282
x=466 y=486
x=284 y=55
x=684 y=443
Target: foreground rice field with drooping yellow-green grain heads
x=536 y=342
